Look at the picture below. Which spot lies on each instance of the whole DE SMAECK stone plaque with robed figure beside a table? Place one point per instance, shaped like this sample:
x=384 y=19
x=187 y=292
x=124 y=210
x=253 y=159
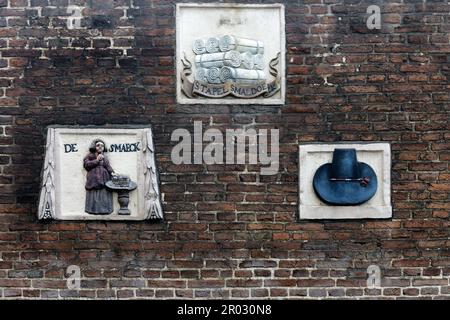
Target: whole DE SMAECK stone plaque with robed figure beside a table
x=100 y=174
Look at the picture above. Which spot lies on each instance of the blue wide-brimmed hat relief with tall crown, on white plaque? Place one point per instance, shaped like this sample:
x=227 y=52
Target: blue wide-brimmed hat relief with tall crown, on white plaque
x=345 y=181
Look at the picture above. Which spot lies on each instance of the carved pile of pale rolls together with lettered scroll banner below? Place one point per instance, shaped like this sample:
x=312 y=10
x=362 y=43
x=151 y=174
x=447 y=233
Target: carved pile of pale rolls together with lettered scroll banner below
x=229 y=65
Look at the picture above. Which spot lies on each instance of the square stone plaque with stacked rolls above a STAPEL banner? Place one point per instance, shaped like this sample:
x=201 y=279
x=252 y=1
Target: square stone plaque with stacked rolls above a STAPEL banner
x=230 y=53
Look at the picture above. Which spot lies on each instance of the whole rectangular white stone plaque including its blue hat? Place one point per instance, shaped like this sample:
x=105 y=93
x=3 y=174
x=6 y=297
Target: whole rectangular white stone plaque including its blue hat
x=376 y=156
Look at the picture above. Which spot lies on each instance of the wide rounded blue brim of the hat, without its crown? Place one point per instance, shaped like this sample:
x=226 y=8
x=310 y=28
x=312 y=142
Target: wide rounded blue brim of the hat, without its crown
x=344 y=192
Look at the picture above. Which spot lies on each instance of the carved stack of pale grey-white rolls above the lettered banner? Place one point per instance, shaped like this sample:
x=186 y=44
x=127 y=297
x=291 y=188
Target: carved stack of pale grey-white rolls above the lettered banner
x=229 y=59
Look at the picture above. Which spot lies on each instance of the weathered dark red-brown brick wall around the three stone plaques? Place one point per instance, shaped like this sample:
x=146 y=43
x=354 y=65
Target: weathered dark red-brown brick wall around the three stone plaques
x=229 y=231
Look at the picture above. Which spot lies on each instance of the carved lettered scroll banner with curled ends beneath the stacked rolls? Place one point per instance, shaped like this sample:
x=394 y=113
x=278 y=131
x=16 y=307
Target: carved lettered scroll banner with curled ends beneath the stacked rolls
x=236 y=89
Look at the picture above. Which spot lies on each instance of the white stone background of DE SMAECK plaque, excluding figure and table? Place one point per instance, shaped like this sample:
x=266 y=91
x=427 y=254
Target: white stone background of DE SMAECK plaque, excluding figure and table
x=130 y=153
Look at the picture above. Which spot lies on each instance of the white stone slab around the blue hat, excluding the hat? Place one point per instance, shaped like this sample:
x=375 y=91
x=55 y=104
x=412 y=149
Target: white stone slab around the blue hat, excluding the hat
x=376 y=155
